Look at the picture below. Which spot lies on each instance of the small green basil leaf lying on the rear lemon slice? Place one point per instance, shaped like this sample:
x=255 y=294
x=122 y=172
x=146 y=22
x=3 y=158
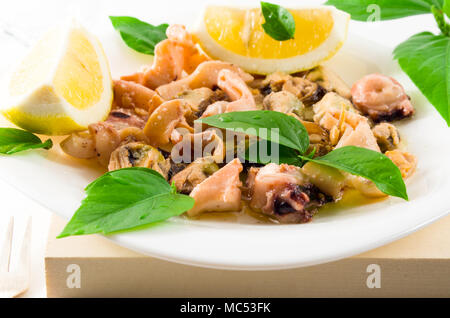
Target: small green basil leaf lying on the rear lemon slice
x=279 y=22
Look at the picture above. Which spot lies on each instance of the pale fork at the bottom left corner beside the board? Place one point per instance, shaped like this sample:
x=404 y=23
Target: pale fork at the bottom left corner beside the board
x=14 y=282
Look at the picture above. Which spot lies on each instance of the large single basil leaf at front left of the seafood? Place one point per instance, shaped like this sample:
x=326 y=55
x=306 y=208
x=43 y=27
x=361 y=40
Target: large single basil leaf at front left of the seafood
x=125 y=199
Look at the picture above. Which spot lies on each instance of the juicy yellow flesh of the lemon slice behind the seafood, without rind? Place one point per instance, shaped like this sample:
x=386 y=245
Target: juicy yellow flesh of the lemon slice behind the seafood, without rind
x=240 y=31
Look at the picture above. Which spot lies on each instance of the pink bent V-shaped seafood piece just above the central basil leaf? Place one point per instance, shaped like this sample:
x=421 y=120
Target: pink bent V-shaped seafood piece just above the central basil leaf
x=237 y=90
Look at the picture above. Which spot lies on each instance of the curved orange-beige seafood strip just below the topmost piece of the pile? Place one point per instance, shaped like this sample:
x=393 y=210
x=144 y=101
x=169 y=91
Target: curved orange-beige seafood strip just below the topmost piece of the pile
x=205 y=75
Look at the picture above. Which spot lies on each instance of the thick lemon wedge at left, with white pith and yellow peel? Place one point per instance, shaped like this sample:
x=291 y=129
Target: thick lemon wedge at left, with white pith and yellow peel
x=62 y=85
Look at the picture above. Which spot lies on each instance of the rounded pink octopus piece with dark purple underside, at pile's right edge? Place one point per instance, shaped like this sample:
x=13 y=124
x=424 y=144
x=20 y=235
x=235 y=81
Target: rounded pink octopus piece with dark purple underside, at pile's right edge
x=382 y=98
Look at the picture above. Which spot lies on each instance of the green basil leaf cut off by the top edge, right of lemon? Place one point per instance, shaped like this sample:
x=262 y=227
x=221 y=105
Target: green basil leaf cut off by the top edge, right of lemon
x=364 y=10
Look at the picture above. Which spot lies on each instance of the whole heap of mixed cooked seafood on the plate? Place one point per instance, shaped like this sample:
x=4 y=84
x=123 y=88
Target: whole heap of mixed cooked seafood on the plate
x=154 y=112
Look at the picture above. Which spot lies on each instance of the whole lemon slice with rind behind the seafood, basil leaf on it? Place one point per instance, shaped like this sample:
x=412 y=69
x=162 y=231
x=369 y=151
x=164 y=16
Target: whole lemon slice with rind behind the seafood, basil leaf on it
x=235 y=35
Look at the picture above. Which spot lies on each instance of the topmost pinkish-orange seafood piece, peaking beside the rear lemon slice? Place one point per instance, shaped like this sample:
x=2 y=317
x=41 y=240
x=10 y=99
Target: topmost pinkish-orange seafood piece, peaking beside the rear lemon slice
x=174 y=55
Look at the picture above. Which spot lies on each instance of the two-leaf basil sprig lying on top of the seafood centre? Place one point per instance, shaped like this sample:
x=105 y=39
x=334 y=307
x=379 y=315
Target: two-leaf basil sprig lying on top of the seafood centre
x=294 y=141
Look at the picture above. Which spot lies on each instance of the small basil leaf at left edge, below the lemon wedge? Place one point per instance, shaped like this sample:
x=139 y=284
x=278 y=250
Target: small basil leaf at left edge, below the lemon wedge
x=14 y=140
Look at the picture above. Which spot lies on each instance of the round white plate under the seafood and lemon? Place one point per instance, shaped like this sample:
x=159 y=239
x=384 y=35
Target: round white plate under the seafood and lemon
x=57 y=182
